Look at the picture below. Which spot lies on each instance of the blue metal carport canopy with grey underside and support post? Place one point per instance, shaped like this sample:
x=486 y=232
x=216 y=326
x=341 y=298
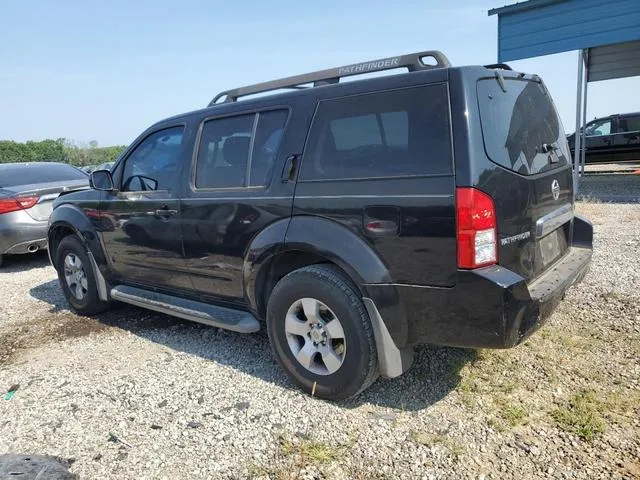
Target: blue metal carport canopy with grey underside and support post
x=607 y=35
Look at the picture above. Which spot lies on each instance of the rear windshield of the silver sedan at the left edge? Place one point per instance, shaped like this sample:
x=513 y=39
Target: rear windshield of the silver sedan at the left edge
x=30 y=173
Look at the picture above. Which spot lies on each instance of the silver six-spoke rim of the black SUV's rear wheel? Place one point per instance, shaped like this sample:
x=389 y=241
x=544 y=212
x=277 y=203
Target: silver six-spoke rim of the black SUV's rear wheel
x=315 y=336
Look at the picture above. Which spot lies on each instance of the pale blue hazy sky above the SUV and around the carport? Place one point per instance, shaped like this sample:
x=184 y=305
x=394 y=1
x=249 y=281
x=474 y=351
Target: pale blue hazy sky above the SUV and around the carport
x=105 y=70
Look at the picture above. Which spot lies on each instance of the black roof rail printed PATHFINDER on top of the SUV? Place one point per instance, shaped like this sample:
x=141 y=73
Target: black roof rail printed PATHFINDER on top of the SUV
x=411 y=61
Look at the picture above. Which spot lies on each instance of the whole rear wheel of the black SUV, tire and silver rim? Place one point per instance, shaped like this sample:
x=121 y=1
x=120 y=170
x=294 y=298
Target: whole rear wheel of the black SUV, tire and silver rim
x=351 y=348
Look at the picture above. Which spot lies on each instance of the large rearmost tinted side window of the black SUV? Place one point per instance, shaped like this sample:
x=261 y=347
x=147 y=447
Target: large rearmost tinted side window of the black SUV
x=389 y=134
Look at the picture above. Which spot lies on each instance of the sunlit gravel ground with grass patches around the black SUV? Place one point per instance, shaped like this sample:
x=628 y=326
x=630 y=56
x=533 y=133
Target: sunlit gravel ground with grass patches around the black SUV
x=133 y=394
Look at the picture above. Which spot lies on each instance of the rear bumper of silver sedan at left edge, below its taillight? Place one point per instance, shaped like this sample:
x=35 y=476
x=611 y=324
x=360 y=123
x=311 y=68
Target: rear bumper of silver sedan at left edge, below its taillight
x=19 y=232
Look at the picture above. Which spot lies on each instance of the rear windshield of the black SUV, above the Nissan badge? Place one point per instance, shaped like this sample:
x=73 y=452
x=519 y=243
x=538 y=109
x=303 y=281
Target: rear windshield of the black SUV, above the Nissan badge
x=520 y=126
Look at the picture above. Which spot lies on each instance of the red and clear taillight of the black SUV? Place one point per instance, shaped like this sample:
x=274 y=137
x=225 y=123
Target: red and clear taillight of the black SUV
x=476 y=229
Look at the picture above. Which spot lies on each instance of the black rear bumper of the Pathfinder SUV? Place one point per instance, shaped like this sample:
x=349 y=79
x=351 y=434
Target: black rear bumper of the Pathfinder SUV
x=491 y=307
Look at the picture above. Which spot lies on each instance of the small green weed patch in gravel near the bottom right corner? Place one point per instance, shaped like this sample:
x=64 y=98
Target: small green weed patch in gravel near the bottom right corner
x=581 y=415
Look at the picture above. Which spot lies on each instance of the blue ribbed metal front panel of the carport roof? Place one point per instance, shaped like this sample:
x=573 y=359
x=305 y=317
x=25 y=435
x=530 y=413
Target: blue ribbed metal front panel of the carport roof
x=542 y=27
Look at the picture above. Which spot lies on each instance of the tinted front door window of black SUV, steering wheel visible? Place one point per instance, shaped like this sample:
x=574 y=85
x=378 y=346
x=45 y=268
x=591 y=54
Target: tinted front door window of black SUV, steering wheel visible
x=154 y=164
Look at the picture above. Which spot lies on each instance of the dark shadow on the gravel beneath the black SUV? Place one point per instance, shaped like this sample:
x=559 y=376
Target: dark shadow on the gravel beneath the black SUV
x=435 y=372
